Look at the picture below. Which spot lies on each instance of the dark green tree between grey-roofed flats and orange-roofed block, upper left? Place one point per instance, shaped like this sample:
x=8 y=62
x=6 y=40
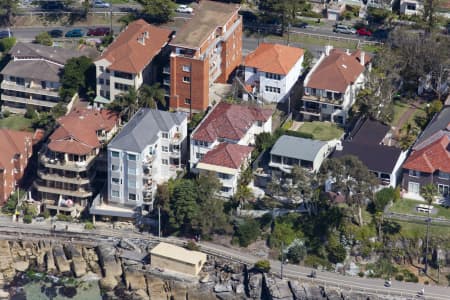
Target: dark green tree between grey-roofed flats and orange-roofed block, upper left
x=78 y=76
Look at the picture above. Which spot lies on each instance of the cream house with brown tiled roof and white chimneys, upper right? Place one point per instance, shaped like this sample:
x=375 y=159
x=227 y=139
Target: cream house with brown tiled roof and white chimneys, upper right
x=332 y=85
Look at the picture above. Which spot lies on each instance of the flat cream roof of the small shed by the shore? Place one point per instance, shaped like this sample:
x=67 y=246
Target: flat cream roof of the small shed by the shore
x=178 y=253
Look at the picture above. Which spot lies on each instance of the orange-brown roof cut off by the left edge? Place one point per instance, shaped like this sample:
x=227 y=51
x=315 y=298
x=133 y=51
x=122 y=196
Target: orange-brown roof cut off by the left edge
x=12 y=142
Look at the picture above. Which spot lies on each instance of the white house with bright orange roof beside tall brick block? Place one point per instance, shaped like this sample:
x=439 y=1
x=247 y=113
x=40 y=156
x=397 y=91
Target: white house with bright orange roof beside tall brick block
x=272 y=70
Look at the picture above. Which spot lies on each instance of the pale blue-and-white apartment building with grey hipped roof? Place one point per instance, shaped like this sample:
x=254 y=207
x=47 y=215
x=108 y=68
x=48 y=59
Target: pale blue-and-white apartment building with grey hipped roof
x=148 y=151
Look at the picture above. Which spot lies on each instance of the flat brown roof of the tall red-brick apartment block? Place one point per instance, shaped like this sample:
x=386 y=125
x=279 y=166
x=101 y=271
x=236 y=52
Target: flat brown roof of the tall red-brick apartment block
x=207 y=17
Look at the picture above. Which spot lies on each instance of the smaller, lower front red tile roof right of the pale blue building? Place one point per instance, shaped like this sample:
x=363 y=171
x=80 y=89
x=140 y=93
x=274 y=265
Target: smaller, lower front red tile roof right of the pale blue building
x=227 y=155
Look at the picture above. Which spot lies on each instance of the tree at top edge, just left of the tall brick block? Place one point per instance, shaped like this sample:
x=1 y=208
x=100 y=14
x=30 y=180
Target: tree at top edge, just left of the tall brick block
x=158 y=11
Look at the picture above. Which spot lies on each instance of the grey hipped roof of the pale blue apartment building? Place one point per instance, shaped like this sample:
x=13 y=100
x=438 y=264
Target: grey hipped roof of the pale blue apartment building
x=143 y=128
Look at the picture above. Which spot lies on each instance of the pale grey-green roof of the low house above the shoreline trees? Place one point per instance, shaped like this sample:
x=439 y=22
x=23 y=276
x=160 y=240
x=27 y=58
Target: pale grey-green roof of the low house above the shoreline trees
x=298 y=148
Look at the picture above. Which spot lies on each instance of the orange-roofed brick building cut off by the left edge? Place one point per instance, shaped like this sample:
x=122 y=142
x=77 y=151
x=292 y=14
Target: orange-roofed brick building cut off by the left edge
x=16 y=148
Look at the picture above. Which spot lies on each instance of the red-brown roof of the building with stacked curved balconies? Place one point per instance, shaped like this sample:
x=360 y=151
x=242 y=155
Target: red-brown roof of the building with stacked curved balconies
x=77 y=132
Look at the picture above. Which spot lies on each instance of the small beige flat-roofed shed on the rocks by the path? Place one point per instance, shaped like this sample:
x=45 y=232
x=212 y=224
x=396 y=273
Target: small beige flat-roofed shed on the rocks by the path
x=178 y=259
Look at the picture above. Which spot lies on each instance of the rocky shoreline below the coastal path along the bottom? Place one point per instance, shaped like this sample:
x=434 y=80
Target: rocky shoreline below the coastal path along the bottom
x=122 y=276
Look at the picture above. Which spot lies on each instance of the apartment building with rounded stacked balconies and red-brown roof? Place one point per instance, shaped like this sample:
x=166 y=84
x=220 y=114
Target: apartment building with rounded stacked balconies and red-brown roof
x=69 y=162
